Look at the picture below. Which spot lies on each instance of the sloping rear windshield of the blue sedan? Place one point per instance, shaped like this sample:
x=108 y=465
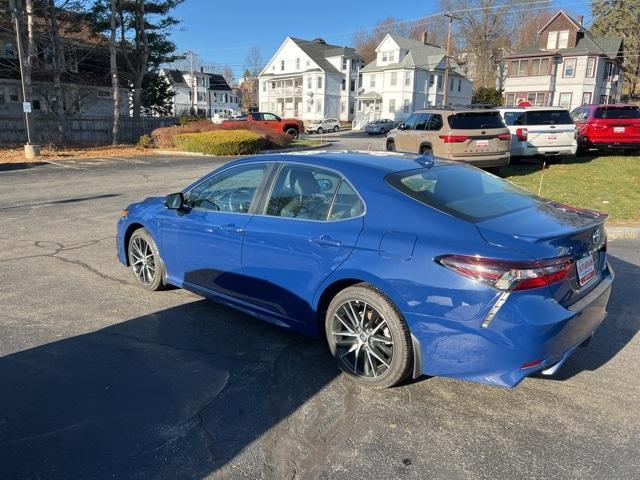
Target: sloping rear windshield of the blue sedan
x=462 y=191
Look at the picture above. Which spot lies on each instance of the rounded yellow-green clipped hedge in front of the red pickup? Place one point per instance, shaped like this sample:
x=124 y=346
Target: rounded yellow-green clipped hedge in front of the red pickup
x=220 y=142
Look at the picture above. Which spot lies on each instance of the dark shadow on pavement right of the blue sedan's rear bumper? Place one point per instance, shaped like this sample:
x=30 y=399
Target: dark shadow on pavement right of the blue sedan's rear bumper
x=617 y=330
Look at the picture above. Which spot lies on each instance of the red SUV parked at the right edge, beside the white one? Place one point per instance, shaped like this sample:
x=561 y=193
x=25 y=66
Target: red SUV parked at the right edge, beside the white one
x=607 y=127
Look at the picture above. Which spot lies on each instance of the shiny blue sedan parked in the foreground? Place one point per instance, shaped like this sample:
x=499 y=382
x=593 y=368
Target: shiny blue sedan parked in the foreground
x=408 y=265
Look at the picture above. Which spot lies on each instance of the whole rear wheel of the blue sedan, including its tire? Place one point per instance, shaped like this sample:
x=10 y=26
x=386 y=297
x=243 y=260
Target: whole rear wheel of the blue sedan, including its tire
x=368 y=337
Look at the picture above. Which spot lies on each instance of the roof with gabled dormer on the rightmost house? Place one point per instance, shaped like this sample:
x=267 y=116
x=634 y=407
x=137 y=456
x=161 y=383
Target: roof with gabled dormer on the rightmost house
x=588 y=44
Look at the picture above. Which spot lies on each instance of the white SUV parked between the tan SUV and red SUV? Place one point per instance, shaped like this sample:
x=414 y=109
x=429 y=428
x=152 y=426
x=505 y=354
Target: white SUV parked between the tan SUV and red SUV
x=540 y=131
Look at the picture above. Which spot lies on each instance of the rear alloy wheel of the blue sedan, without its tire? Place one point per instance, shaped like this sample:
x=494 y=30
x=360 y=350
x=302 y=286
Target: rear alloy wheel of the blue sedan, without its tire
x=363 y=339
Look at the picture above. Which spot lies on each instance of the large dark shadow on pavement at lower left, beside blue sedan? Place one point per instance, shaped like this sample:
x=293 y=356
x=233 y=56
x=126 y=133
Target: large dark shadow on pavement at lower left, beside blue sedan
x=173 y=394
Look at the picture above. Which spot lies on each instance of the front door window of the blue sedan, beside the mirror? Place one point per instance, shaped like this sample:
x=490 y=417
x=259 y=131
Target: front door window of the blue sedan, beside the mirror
x=230 y=191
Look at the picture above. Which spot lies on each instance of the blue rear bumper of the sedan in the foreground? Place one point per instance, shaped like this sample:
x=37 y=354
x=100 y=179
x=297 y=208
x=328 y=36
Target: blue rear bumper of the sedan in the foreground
x=528 y=334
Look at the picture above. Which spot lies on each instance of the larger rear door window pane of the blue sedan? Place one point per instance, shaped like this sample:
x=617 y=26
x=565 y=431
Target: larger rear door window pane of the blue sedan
x=303 y=192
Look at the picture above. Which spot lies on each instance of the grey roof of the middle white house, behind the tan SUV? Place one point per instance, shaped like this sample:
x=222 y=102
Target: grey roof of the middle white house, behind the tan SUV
x=419 y=55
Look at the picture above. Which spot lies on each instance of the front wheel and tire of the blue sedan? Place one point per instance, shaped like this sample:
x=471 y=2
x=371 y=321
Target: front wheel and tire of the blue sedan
x=145 y=262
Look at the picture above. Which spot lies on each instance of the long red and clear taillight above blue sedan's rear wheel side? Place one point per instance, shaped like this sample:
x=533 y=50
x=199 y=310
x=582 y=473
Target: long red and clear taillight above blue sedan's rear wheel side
x=508 y=275
